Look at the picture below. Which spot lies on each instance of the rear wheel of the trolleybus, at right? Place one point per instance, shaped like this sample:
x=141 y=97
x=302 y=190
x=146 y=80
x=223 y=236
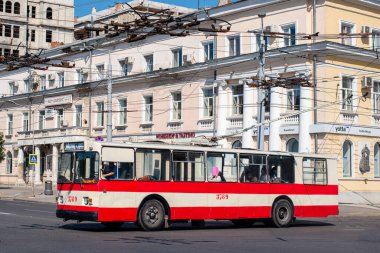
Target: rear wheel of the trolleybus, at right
x=282 y=213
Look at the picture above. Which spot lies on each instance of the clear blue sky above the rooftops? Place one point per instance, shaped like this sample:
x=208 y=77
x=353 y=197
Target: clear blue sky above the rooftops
x=83 y=7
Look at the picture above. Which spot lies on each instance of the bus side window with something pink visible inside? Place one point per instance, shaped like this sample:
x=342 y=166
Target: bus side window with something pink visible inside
x=222 y=167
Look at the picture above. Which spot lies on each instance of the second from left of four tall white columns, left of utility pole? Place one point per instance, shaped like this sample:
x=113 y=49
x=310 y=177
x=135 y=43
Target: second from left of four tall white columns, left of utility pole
x=248 y=111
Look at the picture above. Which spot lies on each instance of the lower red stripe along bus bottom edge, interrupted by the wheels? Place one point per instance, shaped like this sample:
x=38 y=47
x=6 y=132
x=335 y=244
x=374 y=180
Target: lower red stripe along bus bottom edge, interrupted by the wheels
x=201 y=213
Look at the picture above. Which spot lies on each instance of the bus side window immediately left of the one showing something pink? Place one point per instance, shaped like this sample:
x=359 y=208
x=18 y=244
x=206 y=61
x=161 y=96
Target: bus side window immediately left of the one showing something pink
x=188 y=166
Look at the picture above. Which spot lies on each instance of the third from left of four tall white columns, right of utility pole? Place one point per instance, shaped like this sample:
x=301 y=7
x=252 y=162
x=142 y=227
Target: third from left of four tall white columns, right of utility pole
x=275 y=113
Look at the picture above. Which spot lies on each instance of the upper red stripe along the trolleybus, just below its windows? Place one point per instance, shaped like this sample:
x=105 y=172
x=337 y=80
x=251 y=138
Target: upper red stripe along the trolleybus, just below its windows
x=202 y=187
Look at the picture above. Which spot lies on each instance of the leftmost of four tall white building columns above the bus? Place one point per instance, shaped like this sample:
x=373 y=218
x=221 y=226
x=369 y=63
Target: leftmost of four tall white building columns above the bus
x=222 y=112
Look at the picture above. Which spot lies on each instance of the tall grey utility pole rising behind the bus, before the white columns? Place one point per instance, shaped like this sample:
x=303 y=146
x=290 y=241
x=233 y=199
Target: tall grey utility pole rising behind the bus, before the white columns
x=260 y=91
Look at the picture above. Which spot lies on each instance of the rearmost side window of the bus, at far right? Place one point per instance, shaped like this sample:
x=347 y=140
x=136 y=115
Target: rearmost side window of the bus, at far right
x=314 y=171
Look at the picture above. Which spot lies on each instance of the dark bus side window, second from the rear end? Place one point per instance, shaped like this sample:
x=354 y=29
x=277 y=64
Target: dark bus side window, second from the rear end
x=281 y=169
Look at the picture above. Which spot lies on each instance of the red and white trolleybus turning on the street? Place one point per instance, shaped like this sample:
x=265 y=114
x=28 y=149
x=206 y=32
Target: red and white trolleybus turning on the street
x=157 y=184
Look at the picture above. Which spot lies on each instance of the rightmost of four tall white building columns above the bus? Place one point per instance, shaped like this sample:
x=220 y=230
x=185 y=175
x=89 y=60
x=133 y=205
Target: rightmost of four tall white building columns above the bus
x=305 y=120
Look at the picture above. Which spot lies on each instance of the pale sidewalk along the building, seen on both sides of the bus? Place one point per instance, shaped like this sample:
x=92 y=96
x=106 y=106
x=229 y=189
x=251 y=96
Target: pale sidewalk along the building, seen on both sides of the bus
x=25 y=193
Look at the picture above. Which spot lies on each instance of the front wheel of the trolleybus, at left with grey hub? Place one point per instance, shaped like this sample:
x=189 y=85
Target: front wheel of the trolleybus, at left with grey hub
x=152 y=215
